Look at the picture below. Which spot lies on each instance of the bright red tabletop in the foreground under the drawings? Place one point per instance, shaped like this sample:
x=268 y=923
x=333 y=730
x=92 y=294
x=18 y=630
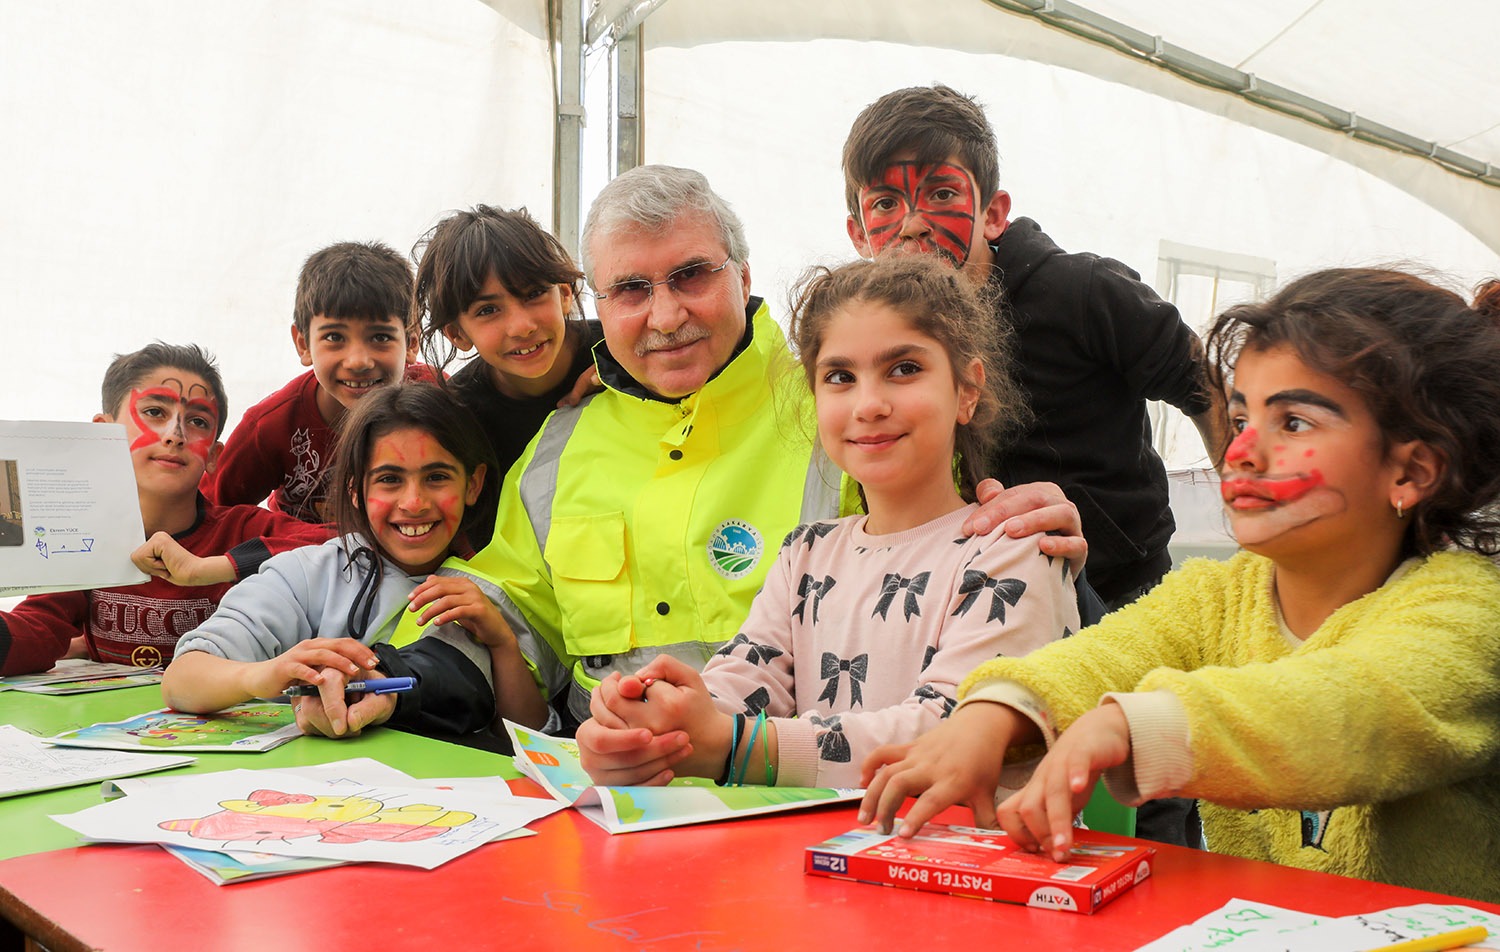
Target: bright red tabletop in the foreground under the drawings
x=709 y=888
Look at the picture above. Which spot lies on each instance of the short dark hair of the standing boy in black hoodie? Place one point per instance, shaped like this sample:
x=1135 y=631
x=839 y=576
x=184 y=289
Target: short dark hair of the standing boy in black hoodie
x=931 y=122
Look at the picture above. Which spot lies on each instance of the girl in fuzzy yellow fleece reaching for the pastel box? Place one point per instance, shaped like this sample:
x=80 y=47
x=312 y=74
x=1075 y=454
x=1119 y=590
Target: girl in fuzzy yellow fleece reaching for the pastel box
x=1333 y=693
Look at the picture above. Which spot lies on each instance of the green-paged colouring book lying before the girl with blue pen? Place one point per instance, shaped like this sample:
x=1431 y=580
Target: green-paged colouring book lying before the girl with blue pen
x=259 y=726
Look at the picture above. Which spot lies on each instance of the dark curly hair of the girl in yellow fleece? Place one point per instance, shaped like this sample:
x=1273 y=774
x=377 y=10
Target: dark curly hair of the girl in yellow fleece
x=1424 y=364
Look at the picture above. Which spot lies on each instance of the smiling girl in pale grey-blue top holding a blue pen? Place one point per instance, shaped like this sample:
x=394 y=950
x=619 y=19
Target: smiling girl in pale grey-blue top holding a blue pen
x=415 y=475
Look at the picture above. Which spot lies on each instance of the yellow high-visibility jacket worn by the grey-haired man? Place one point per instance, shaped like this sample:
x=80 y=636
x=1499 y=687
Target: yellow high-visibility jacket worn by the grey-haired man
x=635 y=527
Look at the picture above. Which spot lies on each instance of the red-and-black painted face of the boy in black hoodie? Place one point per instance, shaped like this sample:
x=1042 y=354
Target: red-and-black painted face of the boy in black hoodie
x=926 y=208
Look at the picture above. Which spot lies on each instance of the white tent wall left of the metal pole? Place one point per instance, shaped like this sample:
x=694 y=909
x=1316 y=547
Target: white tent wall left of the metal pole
x=169 y=167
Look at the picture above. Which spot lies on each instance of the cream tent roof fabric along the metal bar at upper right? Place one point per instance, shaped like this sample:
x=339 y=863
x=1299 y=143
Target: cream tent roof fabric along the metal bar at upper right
x=1426 y=71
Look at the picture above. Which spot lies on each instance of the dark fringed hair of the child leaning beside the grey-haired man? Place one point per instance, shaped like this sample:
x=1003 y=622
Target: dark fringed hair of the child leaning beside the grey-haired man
x=463 y=251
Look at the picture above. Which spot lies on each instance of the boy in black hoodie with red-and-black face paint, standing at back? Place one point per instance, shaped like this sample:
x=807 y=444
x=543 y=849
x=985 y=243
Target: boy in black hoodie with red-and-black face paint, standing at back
x=1093 y=344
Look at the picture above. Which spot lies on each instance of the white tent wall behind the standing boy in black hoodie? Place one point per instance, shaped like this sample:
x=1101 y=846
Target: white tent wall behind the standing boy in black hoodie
x=1108 y=154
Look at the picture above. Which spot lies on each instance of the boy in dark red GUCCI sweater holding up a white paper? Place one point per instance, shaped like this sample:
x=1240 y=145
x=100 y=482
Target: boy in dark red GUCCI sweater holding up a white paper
x=173 y=407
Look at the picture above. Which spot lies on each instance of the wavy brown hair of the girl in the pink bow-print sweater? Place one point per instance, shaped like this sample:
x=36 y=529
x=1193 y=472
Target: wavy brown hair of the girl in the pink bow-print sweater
x=943 y=305
